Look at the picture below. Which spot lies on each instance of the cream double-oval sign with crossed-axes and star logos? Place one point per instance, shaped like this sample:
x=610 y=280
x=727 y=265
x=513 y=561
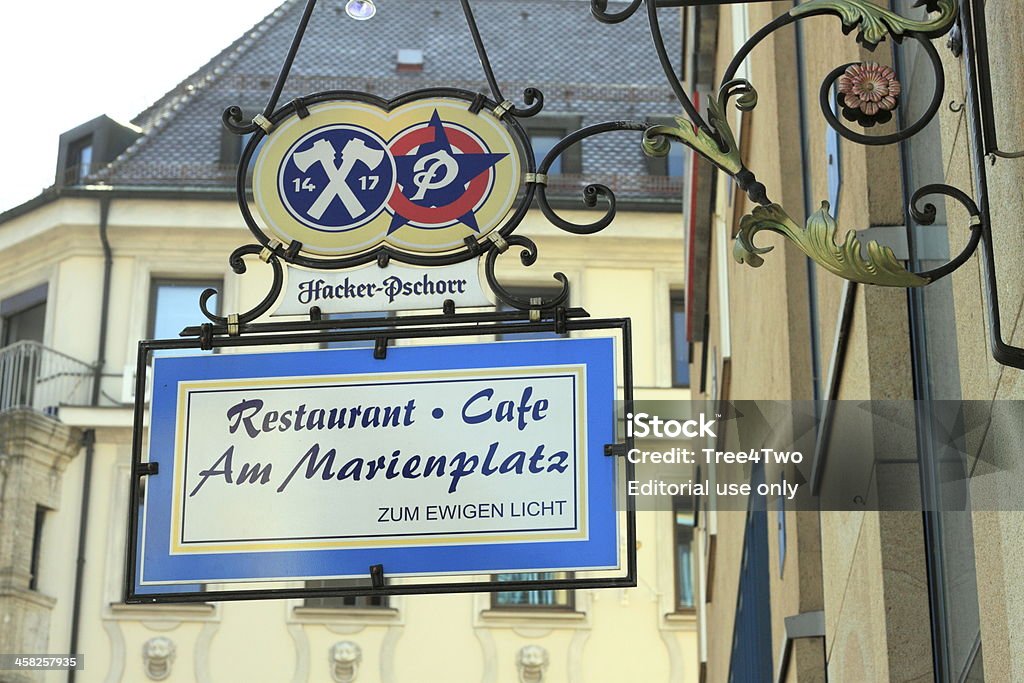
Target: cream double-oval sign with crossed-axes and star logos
x=347 y=178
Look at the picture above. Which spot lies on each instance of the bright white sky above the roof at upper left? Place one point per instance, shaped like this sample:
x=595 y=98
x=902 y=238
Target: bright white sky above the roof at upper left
x=66 y=62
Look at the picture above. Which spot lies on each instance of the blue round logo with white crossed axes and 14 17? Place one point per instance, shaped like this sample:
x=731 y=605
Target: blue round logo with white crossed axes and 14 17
x=337 y=178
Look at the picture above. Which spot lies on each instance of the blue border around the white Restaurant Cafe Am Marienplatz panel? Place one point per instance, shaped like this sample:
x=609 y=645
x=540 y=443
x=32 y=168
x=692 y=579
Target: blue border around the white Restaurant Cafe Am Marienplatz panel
x=600 y=551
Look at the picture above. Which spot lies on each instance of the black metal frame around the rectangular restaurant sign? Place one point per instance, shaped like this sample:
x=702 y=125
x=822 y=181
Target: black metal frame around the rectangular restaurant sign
x=380 y=331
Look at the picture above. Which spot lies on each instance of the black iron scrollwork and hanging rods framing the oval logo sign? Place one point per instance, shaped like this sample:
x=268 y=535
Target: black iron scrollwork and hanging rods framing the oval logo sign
x=492 y=246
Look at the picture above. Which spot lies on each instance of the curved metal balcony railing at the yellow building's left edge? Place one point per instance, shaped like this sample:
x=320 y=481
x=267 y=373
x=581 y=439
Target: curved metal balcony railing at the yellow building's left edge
x=37 y=378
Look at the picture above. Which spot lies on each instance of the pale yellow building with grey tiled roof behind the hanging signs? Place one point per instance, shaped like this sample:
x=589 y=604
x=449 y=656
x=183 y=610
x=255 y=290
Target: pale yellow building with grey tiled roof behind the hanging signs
x=133 y=229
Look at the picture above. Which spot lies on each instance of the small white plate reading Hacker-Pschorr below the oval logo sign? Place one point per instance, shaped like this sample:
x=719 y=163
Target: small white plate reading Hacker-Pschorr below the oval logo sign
x=374 y=289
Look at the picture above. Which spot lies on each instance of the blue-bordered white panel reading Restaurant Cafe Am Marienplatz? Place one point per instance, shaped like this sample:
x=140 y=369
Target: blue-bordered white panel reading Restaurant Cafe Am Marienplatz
x=456 y=459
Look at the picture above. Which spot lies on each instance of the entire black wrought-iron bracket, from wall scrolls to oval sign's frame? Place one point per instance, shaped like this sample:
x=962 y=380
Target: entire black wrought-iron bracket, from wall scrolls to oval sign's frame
x=868 y=95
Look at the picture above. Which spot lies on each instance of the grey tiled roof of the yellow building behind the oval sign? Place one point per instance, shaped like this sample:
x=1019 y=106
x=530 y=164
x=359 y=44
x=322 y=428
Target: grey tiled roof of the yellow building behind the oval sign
x=583 y=67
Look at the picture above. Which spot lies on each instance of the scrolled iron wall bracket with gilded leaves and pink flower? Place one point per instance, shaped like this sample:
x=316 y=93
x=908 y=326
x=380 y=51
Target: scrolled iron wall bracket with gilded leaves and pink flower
x=867 y=94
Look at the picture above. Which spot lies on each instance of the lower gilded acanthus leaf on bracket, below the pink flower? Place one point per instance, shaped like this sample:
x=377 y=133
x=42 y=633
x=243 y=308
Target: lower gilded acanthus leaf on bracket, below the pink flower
x=819 y=242
